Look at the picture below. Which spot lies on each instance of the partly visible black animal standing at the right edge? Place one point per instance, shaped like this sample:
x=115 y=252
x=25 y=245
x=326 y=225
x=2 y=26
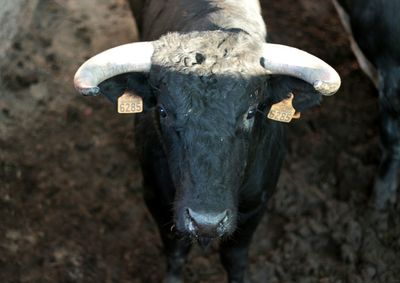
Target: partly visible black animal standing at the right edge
x=375 y=29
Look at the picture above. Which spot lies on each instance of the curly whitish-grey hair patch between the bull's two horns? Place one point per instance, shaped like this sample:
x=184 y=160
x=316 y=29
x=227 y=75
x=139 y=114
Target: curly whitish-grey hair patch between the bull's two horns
x=209 y=53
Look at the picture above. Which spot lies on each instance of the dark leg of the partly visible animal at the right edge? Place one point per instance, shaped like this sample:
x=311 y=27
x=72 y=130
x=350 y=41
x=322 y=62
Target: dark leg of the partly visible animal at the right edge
x=387 y=180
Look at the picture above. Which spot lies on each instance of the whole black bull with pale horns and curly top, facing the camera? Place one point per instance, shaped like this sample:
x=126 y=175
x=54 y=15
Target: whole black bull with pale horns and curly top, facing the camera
x=210 y=157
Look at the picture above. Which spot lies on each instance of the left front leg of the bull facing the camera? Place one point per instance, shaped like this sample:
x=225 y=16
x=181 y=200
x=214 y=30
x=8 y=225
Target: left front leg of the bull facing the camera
x=175 y=249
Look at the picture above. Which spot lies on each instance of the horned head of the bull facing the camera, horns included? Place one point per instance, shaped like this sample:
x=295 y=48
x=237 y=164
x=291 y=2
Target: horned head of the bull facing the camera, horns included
x=208 y=88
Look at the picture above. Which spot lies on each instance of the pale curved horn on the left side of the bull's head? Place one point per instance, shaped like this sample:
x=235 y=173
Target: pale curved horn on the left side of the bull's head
x=132 y=57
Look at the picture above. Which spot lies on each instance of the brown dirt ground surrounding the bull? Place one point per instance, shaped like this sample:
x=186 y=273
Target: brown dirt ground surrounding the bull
x=70 y=187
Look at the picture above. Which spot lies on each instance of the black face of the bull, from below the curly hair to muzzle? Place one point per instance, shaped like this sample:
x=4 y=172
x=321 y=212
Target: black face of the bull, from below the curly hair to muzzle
x=206 y=125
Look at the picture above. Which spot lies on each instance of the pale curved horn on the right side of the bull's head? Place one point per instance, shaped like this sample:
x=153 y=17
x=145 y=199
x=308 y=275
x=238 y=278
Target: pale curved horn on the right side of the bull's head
x=285 y=60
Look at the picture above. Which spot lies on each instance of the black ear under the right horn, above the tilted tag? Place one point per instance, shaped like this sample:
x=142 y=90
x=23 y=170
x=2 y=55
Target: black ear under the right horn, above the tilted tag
x=279 y=88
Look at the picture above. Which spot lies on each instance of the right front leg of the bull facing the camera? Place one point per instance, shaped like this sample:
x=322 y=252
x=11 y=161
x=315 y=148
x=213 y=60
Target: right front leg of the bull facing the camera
x=234 y=252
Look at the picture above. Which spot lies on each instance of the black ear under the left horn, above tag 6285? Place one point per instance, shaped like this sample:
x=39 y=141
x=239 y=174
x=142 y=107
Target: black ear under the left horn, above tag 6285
x=136 y=83
